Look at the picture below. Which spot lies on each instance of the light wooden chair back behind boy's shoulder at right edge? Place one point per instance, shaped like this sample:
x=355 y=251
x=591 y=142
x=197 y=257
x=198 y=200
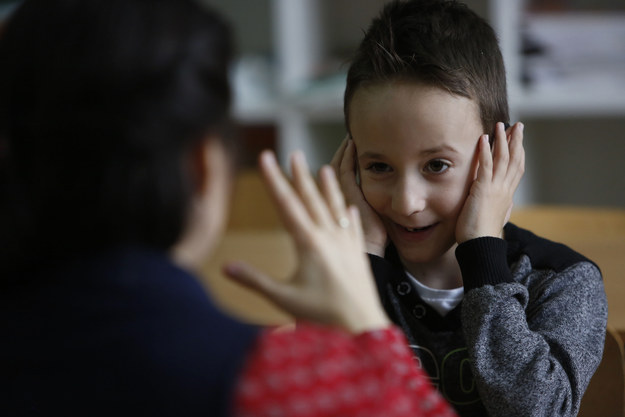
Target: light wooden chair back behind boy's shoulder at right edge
x=599 y=234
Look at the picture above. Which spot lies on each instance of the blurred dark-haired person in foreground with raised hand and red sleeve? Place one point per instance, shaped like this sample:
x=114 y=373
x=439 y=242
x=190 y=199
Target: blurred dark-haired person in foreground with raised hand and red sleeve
x=116 y=163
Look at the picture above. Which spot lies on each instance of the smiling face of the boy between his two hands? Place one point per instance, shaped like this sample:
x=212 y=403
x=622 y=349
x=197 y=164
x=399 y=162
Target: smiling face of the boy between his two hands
x=416 y=148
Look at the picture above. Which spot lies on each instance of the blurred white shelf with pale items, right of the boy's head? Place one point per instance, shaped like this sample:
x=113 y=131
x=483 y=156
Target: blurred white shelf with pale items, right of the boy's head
x=580 y=70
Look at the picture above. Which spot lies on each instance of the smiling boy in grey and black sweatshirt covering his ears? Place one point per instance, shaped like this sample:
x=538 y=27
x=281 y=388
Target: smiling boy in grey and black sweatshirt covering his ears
x=504 y=322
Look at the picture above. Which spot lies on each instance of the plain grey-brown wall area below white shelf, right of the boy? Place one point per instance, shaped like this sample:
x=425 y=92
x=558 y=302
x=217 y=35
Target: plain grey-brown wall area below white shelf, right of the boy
x=577 y=161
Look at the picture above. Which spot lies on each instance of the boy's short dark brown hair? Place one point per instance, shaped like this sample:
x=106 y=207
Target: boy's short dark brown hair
x=438 y=43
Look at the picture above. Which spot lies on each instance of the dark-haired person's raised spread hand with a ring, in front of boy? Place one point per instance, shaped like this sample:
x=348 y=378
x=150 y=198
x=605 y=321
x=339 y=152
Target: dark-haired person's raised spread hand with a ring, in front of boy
x=333 y=283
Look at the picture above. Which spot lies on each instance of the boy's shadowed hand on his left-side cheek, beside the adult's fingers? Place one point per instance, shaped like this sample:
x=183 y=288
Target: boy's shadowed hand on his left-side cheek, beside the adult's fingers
x=344 y=164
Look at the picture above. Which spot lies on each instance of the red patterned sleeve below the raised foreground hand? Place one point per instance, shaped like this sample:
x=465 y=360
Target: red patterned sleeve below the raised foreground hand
x=316 y=371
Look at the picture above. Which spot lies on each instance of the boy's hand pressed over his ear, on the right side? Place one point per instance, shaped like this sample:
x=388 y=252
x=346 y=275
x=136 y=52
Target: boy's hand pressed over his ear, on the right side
x=489 y=203
